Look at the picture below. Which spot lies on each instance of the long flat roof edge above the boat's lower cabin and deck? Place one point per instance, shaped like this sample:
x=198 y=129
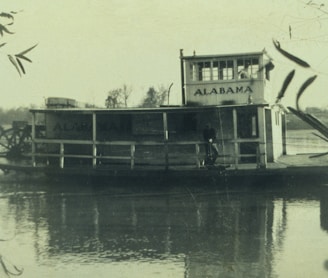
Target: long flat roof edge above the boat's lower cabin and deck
x=139 y=110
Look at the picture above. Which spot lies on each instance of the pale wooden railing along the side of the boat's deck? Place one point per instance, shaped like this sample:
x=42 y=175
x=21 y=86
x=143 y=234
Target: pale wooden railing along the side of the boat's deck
x=130 y=153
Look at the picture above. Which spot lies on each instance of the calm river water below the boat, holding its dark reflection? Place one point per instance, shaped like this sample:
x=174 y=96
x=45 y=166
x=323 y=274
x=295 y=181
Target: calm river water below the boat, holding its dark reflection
x=174 y=231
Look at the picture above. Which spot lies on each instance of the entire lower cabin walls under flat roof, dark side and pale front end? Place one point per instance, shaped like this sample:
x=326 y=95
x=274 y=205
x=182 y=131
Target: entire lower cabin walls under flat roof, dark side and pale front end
x=158 y=136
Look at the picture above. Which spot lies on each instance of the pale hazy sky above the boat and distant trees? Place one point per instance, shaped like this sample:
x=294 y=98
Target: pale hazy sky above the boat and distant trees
x=89 y=47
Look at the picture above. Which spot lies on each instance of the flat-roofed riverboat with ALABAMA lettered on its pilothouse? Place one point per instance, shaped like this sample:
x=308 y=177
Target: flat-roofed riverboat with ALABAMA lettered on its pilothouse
x=230 y=92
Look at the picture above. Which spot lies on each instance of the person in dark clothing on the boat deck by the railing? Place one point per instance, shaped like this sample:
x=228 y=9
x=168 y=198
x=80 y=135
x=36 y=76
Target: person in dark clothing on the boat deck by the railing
x=211 y=149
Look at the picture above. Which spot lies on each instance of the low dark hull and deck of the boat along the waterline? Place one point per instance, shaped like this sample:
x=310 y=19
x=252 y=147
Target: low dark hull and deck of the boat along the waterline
x=301 y=165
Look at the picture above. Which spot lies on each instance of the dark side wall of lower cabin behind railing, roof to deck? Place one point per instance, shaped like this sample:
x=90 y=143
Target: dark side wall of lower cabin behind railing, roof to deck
x=146 y=130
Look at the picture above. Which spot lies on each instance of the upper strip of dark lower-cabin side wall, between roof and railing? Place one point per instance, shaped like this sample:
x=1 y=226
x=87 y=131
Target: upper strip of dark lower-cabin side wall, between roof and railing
x=133 y=127
